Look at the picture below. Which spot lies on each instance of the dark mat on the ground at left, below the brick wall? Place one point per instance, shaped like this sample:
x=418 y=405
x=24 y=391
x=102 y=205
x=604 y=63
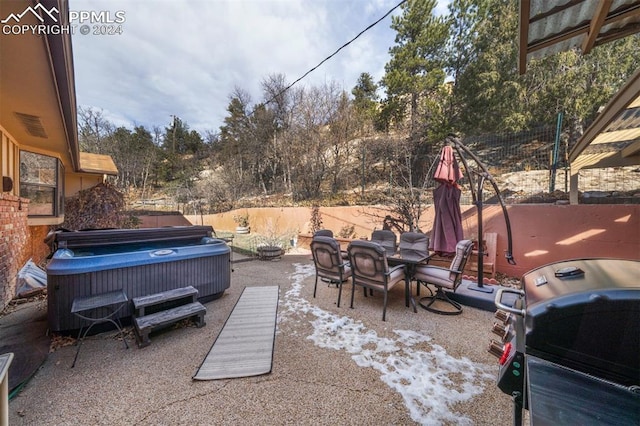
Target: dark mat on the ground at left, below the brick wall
x=24 y=332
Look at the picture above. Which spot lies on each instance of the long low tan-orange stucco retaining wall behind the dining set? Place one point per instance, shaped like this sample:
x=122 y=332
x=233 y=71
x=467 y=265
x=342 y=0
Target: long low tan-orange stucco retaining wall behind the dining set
x=541 y=233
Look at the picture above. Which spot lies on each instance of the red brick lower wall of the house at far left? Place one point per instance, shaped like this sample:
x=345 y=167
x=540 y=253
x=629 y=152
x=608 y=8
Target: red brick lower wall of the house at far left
x=14 y=243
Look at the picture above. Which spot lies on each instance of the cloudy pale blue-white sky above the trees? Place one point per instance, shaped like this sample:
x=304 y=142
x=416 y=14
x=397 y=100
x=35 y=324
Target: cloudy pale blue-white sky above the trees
x=184 y=58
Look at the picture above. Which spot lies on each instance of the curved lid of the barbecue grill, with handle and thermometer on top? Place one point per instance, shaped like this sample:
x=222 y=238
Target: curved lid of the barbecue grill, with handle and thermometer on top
x=588 y=320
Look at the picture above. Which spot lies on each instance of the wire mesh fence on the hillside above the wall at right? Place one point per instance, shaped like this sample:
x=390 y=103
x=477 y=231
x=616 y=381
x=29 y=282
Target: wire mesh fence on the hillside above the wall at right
x=523 y=167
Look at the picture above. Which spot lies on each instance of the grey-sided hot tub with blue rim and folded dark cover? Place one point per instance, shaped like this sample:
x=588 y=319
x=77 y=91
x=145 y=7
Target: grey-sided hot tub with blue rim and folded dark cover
x=139 y=261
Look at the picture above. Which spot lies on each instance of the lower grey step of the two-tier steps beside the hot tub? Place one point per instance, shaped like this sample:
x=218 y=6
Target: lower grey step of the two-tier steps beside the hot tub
x=148 y=323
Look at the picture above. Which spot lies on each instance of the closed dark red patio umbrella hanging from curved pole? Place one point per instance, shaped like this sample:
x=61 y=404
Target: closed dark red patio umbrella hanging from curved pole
x=447 y=224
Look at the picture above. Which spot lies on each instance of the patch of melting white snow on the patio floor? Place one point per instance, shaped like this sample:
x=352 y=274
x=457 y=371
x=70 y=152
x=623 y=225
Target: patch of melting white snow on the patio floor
x=430 y=394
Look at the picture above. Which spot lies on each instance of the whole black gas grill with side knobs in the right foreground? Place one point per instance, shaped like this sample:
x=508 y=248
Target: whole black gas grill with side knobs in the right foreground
x=576 y=321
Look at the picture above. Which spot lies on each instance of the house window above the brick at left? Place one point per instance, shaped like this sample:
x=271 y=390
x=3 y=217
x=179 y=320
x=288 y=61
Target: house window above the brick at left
x=41 y=181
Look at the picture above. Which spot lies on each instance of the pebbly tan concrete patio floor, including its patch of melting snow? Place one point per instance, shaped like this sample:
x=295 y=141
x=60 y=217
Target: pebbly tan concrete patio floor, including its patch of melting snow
x=331 y=366
